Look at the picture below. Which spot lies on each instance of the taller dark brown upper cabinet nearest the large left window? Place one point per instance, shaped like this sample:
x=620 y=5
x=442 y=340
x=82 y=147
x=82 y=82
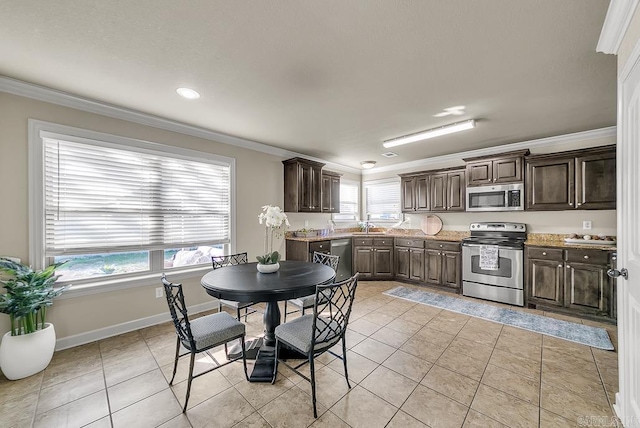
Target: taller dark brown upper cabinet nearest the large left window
x=302 y=185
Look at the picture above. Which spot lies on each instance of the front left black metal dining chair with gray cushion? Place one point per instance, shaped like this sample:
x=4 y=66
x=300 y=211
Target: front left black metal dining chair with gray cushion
x=201 y=334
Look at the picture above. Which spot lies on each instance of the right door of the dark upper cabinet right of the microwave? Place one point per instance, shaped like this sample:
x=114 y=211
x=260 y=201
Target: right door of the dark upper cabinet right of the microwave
x=596 y=181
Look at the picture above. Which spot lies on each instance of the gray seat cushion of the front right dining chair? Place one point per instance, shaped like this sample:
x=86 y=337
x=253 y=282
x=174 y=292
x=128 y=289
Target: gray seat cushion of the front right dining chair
x=299 y=332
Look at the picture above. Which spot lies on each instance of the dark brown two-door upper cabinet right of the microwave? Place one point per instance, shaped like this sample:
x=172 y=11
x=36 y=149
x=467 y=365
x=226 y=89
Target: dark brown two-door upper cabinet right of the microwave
x=578 y=179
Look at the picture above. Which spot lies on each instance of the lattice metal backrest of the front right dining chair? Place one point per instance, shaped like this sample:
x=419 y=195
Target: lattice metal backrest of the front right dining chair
x=332 y=310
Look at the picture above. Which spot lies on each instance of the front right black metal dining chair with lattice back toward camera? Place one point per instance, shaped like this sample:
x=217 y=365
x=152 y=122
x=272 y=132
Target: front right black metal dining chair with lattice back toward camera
x=315 y=334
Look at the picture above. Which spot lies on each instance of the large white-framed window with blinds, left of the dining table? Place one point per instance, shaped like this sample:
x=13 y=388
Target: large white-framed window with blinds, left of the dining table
x=115 y=207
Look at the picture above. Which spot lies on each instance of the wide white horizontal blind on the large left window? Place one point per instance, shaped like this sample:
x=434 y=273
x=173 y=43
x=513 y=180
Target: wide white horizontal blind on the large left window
x=103 y=199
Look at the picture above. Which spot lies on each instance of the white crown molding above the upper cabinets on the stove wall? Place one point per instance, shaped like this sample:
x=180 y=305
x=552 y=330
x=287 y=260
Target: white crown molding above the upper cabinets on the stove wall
x=421 y=164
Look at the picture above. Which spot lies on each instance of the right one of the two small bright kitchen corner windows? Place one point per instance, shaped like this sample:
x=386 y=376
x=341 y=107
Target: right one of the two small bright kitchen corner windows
x=382 y=200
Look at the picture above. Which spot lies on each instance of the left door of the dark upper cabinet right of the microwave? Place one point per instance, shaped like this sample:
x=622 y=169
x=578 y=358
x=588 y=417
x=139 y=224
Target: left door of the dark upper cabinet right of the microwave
x=550 y=184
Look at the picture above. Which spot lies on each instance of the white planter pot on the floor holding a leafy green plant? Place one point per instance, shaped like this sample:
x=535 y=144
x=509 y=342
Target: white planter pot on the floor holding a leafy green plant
x=26 y=355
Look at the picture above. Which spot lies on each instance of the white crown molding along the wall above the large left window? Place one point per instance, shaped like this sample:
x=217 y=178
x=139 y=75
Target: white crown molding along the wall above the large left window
x=41 y=93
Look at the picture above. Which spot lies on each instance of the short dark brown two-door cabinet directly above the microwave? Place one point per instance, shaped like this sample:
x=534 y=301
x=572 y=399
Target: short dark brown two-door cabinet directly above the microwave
x=496 y=169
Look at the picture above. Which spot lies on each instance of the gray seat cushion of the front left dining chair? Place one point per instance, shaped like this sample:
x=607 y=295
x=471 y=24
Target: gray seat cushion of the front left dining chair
x=214 y=329
